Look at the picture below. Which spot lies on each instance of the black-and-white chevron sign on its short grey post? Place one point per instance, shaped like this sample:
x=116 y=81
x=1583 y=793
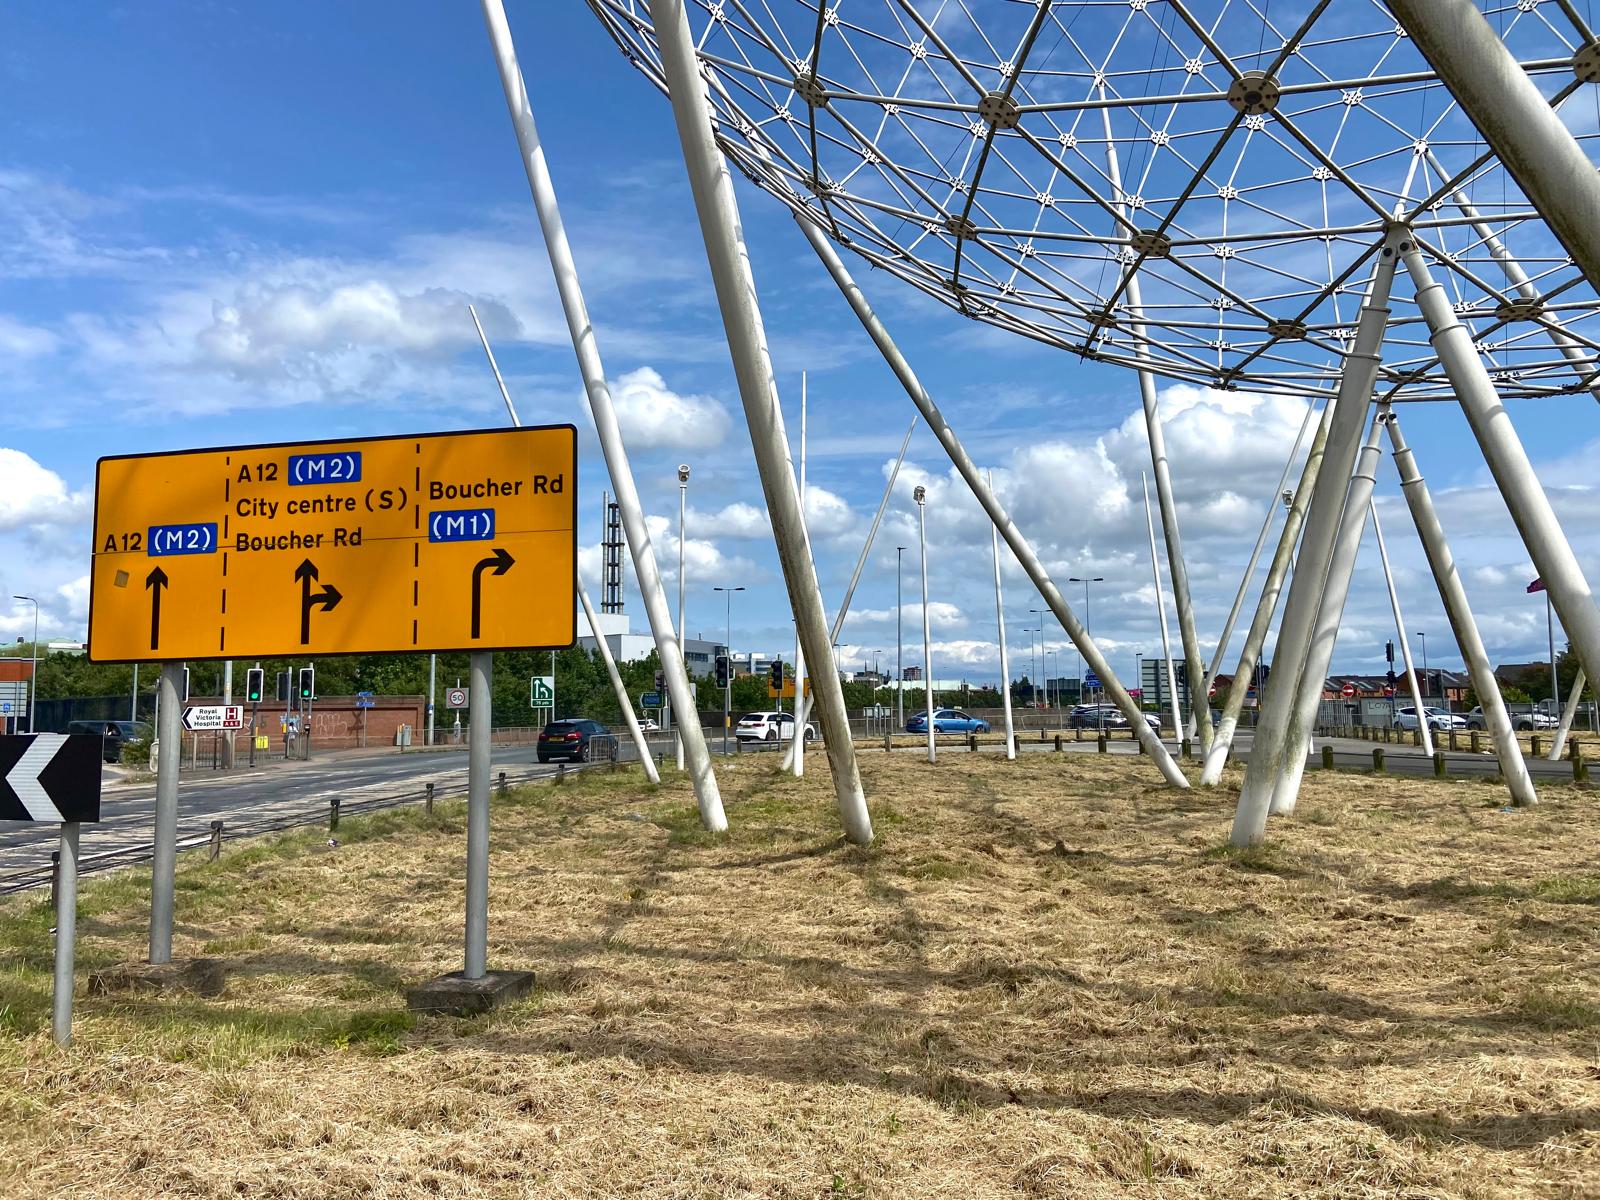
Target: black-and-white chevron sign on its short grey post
x=50 y=777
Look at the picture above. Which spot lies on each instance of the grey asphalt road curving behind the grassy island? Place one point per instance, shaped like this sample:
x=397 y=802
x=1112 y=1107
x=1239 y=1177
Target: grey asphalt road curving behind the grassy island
x=281 y=791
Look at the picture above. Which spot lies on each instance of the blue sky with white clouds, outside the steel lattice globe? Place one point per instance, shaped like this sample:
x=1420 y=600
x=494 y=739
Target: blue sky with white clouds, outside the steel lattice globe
x=228 y=225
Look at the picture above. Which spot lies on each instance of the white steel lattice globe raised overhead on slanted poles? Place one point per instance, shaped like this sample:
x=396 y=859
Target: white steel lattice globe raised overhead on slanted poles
x=1194 y=186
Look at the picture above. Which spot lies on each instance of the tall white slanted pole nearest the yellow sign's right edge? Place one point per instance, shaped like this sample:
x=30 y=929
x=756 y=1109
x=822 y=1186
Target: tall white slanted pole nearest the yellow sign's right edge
x=604 y=414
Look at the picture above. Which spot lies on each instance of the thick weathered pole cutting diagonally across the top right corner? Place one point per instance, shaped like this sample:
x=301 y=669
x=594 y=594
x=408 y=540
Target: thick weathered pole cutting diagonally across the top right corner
x=1516 y=121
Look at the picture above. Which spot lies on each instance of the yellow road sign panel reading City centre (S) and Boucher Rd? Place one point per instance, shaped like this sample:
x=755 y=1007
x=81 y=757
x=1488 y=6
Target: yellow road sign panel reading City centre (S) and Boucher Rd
x=446 y=542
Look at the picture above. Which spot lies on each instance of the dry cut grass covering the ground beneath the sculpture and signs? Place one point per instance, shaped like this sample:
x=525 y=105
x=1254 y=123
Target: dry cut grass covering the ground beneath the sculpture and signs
x=1047 y=980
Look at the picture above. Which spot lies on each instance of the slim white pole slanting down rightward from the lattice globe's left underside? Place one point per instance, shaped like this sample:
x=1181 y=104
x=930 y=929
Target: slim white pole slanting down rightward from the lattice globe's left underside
x=1028 y=559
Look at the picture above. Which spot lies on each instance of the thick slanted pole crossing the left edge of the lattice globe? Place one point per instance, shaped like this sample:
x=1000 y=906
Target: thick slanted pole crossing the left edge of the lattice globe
x=735 y=286
